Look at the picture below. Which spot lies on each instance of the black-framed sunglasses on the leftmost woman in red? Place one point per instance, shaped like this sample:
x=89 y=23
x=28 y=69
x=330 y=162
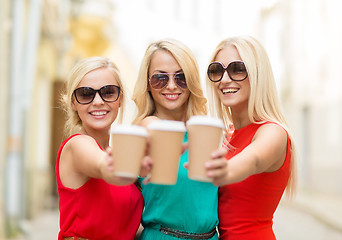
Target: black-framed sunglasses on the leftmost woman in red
x=108 y=93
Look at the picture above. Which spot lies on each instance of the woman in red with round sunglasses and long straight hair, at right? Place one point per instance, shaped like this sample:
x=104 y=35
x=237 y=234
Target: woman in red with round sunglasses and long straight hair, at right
x=260 y=156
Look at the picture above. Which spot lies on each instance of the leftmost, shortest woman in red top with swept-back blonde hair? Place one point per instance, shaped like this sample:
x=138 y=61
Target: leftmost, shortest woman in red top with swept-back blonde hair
x=91 y=207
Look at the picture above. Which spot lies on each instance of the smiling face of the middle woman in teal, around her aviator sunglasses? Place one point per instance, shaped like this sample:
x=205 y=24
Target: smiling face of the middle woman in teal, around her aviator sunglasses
x=171 y=100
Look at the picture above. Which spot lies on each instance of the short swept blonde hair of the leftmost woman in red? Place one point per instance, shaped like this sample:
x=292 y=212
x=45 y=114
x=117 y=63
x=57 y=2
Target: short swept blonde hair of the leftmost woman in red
x=74 y=123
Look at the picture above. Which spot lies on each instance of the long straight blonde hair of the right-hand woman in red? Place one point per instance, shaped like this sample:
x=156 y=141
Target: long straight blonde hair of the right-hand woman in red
x=263 y=104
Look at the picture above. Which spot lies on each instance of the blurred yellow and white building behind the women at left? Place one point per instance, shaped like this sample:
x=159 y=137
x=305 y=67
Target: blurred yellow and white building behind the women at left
x=40 y=41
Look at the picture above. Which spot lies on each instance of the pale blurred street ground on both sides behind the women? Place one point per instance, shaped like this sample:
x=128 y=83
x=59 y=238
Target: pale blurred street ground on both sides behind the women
x=308 y=217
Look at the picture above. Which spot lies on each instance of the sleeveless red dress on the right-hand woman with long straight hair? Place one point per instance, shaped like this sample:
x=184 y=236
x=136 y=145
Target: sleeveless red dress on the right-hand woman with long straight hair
x=246 y=208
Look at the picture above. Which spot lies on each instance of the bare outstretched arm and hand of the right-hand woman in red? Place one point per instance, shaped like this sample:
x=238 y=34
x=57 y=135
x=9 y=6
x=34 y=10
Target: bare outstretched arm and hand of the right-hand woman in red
x=266 y=153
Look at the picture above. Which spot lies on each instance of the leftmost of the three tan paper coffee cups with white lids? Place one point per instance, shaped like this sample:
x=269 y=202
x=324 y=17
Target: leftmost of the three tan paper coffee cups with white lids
x=128 y=150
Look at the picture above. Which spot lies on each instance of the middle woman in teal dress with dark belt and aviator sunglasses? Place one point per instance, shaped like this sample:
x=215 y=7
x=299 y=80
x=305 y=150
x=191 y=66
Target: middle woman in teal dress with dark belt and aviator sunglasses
x=168 y=87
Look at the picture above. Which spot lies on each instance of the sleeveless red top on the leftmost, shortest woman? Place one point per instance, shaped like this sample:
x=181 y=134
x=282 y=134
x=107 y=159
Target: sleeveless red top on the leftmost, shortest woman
x=98 y=210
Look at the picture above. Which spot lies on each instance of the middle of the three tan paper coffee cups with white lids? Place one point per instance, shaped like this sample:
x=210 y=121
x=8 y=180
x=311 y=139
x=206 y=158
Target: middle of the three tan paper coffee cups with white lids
x=166 y=139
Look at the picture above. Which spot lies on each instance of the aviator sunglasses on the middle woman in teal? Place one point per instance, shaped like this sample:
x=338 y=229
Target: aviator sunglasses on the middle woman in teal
x=160 y=80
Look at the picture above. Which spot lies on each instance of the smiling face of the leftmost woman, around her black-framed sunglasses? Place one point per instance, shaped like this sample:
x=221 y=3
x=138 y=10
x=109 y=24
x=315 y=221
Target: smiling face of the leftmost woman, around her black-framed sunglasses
x=97 y=115
